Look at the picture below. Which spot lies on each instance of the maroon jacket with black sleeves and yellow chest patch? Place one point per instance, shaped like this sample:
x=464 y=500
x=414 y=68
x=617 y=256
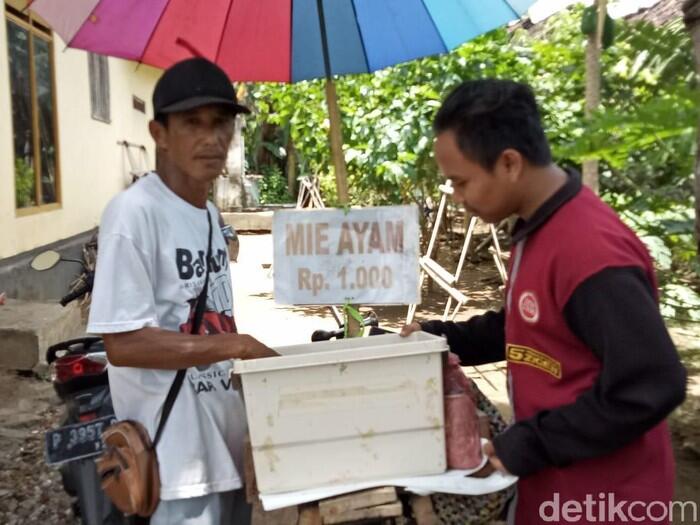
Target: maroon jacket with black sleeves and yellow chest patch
x=592 y=369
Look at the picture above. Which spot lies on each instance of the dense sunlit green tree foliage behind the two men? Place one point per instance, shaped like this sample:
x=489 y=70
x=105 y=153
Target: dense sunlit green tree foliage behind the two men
x=644 y=133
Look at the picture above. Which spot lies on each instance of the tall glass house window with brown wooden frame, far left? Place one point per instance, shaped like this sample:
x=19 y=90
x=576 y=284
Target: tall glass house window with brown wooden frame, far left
x=30 y=50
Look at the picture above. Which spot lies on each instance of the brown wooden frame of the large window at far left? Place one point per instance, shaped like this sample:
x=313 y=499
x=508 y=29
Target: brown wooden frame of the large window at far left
x=37 y=29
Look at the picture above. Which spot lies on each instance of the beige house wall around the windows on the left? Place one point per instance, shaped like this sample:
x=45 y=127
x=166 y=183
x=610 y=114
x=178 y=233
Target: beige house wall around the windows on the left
x=92 y=166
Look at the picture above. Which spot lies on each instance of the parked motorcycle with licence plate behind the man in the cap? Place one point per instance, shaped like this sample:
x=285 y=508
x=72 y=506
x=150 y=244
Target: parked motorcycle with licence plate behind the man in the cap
x=79 y=375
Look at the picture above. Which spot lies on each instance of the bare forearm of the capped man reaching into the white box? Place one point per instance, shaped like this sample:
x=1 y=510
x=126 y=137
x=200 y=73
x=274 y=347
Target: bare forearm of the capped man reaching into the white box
x=168 y=350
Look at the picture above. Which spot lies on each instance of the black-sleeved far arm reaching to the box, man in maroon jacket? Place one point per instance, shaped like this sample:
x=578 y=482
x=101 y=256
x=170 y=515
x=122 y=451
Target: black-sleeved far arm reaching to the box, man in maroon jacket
x=479 y=340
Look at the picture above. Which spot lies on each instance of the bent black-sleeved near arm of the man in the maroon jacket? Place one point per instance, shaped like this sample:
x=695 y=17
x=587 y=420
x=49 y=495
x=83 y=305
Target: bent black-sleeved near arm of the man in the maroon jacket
x=641 y=381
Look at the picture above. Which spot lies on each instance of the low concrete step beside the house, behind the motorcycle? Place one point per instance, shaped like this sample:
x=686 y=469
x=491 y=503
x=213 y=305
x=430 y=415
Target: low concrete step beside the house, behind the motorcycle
x=28 y=328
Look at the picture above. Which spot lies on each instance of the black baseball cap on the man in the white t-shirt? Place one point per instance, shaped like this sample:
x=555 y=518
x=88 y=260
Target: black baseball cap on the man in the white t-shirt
x=193 y=83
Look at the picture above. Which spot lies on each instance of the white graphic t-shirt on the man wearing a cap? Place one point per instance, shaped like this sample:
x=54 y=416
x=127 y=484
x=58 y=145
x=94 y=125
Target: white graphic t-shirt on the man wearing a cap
x=150 y=271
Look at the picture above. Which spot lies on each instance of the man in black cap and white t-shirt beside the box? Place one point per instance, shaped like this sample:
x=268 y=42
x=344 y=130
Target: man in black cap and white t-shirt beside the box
x=151 y=268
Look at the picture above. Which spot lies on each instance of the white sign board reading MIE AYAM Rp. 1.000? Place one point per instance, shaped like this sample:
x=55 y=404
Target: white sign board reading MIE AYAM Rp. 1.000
x=330 y=256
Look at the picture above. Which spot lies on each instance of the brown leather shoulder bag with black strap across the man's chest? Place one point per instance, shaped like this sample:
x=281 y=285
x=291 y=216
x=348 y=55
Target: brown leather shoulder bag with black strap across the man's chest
x=128 y=467
